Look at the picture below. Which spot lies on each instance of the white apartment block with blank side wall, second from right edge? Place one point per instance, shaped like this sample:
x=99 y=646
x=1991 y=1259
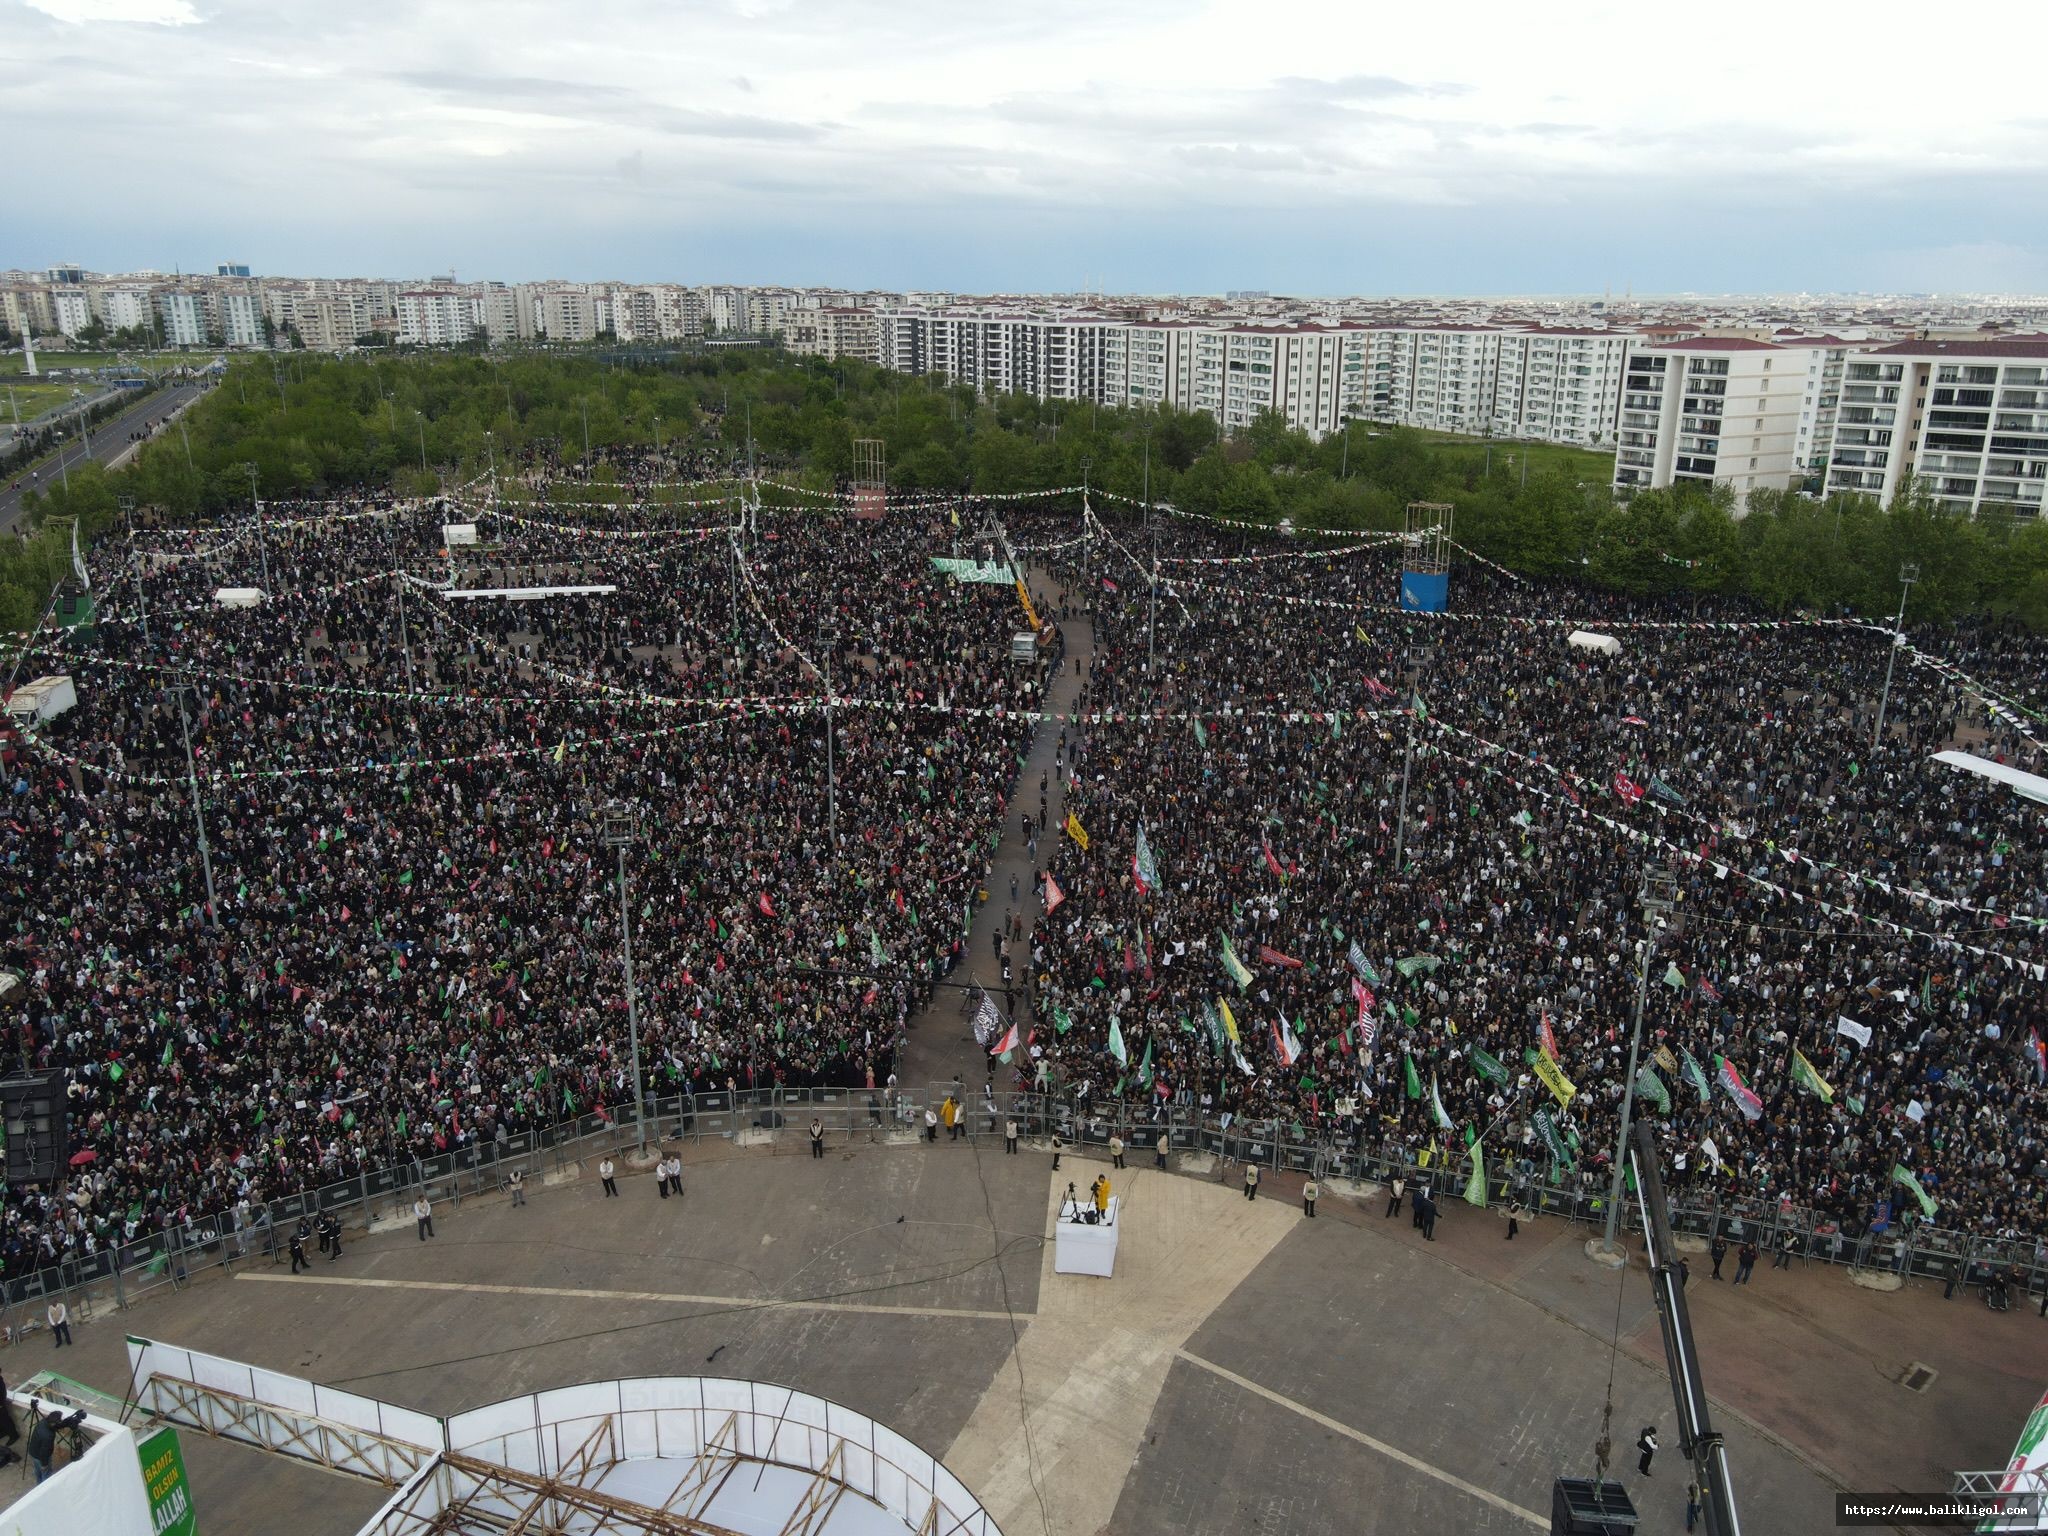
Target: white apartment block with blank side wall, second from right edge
x=1713 y=409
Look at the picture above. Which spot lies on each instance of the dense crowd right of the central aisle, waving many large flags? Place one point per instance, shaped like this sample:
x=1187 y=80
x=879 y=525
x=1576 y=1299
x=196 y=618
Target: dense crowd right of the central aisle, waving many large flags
x=1818 y=880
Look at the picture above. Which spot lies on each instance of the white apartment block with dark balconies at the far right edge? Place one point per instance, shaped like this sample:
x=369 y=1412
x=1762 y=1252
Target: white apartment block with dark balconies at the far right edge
x=1969 y=419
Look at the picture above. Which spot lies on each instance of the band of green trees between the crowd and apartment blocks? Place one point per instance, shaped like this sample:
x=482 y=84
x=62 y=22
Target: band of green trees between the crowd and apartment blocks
x=417 y=423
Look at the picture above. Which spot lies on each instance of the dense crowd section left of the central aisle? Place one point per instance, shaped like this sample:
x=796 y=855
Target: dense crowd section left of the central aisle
x=419 y=931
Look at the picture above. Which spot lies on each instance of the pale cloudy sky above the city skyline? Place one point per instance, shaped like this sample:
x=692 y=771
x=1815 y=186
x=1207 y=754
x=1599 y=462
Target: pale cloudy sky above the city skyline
x=1302 y=146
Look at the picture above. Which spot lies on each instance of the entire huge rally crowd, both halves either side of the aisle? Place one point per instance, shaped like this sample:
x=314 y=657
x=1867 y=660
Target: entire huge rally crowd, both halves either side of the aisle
x=415 y=802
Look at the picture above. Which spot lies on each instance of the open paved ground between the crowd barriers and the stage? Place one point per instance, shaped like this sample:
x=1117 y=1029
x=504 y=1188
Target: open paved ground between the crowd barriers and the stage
x=1246 y=1369
